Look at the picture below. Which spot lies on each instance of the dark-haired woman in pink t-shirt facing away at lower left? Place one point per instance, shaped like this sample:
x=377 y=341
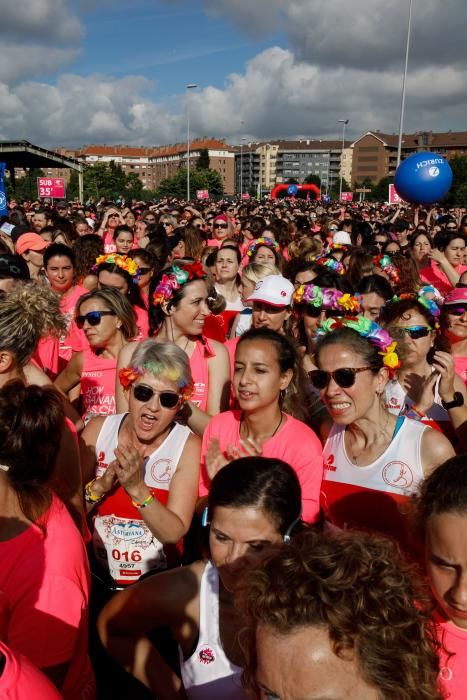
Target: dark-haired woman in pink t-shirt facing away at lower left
x=44 y=576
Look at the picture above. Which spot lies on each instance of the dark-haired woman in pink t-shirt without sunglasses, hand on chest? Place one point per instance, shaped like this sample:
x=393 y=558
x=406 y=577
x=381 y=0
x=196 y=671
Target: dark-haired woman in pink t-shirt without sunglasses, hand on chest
x=267 y=378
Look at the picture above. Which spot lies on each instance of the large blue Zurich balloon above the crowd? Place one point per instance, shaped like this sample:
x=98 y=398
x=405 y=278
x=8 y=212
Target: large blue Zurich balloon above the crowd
x=423 y=178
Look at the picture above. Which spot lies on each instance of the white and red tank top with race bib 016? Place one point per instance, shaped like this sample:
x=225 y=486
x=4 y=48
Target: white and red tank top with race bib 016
x=123 y=544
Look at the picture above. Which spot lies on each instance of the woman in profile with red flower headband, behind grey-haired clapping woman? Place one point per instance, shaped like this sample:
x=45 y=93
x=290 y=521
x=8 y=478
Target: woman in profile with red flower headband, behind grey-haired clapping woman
x=178 y=309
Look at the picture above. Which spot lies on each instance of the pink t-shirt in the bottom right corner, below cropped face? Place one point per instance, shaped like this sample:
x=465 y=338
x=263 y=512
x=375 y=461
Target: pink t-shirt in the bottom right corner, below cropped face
x=453 y=659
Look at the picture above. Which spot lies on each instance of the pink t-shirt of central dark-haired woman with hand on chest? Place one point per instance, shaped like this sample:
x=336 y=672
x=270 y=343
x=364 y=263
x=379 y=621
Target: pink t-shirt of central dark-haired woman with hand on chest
x=294 y=443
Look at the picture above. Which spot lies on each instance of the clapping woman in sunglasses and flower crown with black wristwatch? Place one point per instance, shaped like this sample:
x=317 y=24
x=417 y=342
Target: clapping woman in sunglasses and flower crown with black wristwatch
x=426 y=387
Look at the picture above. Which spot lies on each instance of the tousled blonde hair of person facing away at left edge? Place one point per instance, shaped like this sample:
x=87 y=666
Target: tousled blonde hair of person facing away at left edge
x=27 y=313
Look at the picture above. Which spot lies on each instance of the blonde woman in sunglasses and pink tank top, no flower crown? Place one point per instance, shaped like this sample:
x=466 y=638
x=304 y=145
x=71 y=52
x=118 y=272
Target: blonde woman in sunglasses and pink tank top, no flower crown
x=109 y=322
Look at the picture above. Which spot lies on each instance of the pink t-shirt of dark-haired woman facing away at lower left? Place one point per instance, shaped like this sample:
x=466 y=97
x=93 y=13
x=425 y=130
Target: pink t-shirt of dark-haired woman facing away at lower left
x=44 y=584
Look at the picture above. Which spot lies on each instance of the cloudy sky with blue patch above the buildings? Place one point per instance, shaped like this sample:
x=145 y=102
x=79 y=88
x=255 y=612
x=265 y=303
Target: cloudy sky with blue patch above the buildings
x=114 y=71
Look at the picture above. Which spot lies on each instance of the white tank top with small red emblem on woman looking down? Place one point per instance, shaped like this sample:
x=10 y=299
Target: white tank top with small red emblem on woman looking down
x=208 y=674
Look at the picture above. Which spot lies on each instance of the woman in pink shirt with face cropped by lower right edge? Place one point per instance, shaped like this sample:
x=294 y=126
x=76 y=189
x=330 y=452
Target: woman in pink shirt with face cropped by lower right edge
x=442 y=509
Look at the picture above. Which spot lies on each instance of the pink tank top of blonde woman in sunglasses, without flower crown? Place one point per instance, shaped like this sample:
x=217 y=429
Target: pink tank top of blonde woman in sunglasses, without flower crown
x=98 y=385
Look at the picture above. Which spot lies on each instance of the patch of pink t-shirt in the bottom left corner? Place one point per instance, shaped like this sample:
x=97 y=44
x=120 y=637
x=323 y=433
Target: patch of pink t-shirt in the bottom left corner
x=20 y=679
